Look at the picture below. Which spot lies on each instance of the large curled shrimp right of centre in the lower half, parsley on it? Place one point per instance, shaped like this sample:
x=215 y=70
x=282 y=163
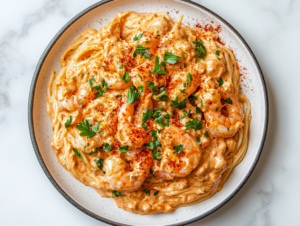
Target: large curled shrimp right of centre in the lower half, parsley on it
x=175 y=164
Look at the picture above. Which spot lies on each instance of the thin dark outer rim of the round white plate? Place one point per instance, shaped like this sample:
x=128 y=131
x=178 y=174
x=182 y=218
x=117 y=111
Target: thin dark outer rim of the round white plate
x=39 y=156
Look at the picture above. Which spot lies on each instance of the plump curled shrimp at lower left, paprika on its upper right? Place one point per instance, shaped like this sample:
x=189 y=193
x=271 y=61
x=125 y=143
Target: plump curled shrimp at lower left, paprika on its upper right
x=128 y=175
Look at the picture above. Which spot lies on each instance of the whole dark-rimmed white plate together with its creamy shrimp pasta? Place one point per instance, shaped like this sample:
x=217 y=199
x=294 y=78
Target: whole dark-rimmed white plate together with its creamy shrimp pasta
x=148 y=112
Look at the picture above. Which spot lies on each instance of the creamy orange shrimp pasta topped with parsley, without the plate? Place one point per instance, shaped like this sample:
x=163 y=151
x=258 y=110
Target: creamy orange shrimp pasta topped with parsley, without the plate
x=148 y=111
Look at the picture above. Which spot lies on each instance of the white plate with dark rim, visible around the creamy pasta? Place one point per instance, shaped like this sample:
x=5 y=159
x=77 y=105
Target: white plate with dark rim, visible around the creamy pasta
x=85 y=198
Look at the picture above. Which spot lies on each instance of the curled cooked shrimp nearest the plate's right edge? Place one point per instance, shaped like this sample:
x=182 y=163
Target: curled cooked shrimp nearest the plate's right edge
x=225 y=126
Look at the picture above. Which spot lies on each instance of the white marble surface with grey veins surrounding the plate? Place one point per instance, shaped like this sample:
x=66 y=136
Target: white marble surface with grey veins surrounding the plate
x=271 y=195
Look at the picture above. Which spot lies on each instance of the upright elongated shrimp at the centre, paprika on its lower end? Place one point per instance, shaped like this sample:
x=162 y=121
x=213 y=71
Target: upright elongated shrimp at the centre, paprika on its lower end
x=128 y=133
